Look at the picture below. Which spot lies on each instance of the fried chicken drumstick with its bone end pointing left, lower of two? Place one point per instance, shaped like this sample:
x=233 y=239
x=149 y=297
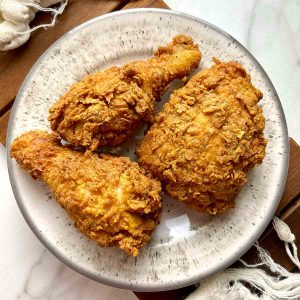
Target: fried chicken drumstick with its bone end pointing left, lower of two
x=111 y=199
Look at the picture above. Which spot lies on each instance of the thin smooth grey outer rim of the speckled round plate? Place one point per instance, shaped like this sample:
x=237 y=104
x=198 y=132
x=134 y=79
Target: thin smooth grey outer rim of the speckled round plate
x=127 y=285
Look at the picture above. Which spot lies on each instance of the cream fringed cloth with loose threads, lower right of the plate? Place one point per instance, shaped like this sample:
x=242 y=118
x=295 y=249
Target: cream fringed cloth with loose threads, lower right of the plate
x=273 y=282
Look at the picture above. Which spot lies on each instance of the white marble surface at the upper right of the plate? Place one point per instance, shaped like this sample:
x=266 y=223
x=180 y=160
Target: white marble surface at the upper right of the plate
x=270 y=30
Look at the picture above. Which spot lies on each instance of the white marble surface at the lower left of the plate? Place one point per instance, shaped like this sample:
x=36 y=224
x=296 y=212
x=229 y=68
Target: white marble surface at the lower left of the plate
x=28 y=270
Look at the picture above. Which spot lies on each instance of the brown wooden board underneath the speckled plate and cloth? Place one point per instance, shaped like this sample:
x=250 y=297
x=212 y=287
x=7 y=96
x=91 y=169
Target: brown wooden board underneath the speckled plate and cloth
x=15 y=64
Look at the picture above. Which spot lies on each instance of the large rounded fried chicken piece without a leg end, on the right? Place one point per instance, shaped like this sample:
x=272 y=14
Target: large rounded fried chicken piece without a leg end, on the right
x=206 y=138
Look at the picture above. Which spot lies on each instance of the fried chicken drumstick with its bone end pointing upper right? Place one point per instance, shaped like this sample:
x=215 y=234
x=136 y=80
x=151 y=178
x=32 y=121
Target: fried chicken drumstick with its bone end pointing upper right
x=105 y=108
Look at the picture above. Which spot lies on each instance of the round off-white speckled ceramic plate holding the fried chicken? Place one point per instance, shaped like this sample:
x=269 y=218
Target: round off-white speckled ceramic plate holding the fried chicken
x=186 y=246
